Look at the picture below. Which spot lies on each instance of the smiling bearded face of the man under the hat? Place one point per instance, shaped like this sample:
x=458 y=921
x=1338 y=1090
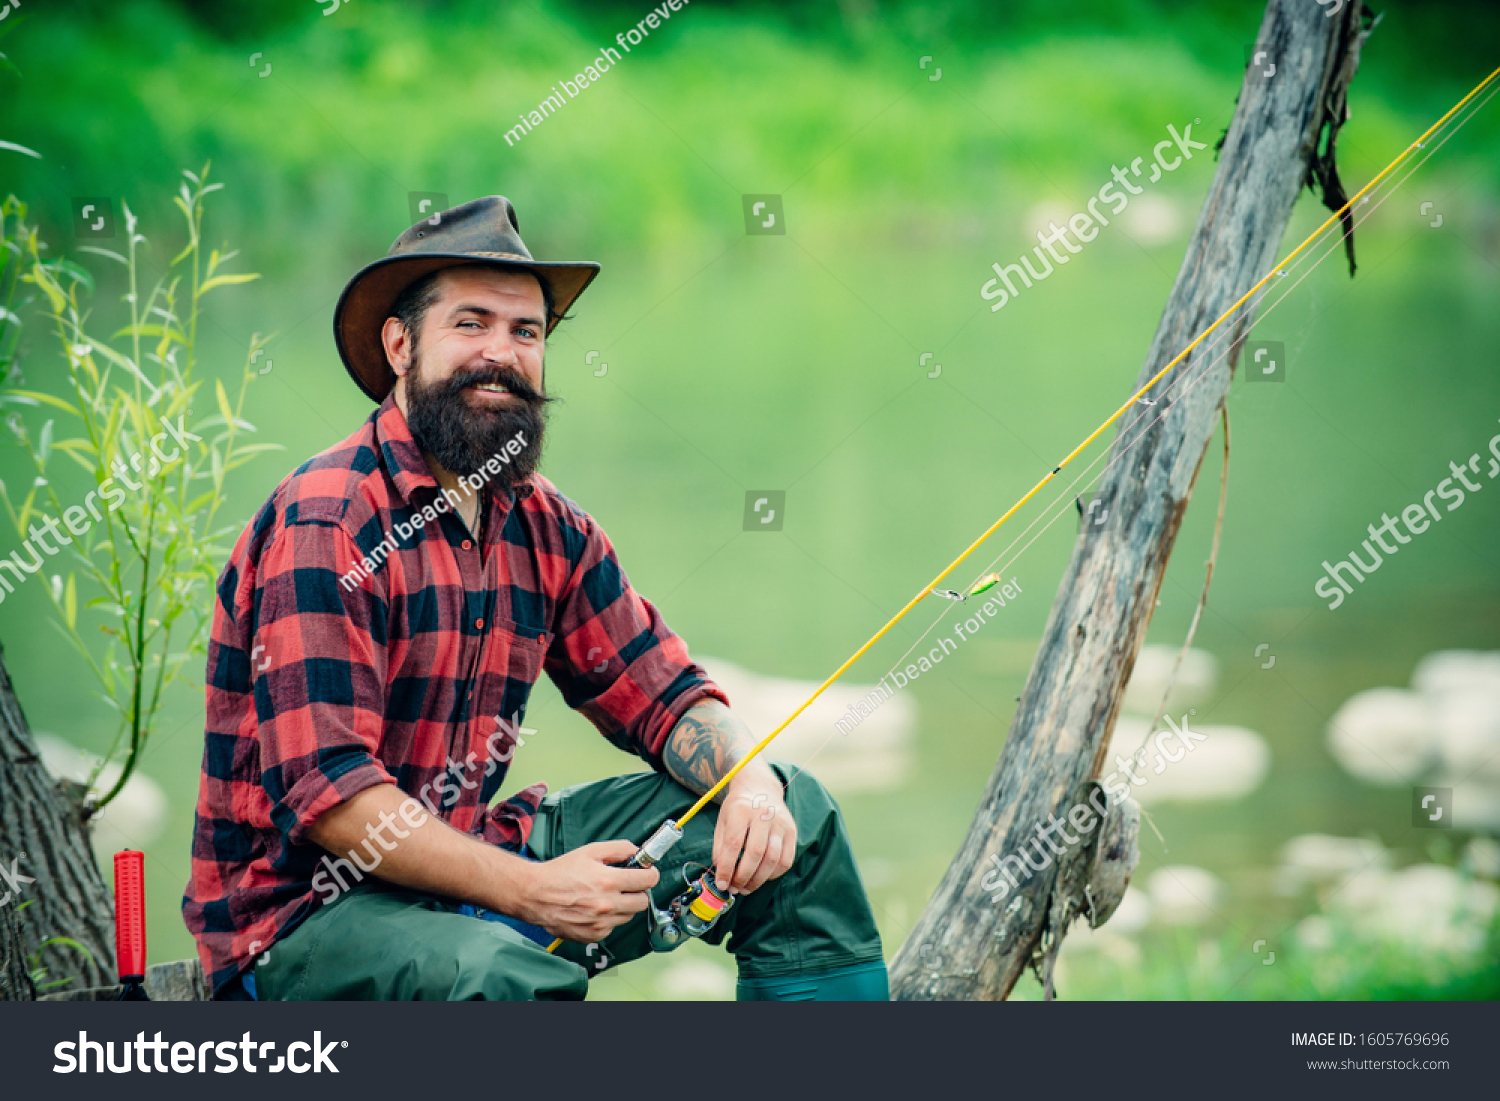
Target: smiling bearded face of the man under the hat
x=473 y=376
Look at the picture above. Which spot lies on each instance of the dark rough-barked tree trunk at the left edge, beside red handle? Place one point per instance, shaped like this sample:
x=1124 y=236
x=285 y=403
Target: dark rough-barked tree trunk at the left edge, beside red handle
x=43 y=829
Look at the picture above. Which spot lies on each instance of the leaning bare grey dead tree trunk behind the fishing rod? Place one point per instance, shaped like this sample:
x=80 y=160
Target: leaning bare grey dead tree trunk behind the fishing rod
x=1282 y=137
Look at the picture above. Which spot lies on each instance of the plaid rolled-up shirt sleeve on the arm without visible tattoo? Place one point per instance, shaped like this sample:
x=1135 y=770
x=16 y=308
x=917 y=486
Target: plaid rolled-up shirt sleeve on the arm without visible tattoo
x=319 y=674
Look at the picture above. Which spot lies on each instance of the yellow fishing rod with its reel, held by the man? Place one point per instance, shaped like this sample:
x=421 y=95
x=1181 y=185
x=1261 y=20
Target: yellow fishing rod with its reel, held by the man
x=703 y=898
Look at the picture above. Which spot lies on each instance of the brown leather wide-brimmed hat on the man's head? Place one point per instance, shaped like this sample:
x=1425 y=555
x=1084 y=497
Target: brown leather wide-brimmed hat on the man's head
x=478 y=232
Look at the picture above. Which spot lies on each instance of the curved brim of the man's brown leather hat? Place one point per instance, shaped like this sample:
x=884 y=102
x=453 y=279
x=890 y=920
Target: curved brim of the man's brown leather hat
x=370 y=296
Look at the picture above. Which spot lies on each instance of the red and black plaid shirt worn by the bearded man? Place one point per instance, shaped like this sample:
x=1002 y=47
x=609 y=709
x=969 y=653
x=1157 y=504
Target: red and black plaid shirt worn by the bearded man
x=320 y=686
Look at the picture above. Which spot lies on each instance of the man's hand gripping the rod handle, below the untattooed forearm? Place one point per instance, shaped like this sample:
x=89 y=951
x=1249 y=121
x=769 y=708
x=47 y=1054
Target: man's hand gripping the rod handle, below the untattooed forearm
x=580 y=898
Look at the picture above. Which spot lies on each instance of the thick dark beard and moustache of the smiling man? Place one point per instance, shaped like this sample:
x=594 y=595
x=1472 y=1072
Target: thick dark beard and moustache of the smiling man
x=461 y=437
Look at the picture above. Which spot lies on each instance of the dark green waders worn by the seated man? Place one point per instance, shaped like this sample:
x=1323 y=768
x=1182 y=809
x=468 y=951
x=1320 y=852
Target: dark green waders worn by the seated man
x=809 y=935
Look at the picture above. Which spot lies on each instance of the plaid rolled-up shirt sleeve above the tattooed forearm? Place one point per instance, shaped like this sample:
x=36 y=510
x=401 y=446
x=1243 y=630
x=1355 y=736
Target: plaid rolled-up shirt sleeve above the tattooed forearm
x=614 y=659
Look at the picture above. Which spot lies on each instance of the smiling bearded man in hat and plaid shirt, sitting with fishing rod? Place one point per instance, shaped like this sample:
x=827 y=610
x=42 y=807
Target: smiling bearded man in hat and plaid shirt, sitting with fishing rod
x=376 y=638
